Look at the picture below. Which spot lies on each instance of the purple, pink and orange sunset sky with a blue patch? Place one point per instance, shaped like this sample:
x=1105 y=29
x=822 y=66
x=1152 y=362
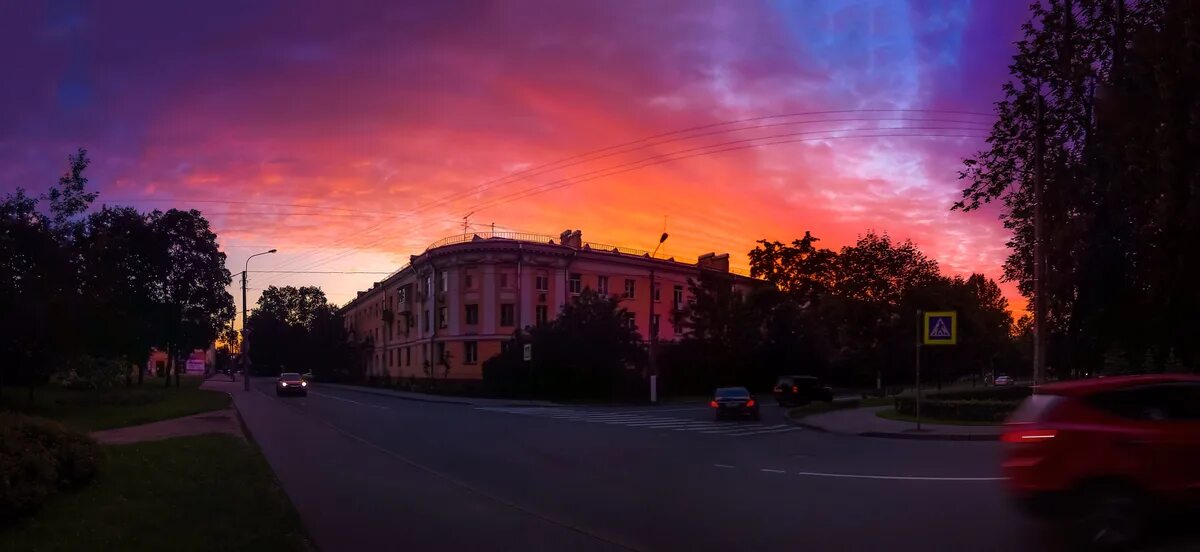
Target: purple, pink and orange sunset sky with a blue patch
x=352 y=135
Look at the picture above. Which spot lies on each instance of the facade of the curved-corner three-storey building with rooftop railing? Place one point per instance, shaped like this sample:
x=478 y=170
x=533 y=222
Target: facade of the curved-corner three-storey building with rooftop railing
x=459 y=303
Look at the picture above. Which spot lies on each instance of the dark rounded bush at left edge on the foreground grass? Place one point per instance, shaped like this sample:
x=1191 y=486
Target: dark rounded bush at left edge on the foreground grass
x=38 y=458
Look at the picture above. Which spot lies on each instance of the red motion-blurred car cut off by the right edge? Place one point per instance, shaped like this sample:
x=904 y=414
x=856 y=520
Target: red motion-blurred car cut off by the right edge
x=1105 y=454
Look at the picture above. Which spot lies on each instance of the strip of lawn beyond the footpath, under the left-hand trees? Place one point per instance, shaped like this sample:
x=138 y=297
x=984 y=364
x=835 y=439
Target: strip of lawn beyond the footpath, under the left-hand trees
x=119 y=407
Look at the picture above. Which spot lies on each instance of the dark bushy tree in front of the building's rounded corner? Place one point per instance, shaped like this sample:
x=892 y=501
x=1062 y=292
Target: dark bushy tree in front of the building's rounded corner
x=591 y=350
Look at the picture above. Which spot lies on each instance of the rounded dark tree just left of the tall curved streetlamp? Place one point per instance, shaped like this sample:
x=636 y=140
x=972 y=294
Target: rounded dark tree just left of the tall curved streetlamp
x=191 y=293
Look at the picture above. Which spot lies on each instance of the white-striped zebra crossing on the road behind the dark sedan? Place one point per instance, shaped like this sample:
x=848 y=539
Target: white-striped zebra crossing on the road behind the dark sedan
x=647 y=421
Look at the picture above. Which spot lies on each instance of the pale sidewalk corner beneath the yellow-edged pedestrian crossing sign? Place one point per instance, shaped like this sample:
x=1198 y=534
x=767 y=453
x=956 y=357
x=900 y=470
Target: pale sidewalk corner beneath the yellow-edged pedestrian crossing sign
x=863 y=422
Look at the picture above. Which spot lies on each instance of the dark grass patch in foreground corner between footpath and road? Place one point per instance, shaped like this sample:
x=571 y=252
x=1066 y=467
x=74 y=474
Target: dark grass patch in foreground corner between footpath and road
x=187 y=494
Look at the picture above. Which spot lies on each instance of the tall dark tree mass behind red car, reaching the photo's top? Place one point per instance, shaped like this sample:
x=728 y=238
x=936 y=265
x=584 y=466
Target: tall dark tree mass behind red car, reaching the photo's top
x=1121 y=187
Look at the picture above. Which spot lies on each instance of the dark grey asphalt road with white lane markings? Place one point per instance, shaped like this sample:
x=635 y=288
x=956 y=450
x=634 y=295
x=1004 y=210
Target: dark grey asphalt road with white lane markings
x=369 y=472
